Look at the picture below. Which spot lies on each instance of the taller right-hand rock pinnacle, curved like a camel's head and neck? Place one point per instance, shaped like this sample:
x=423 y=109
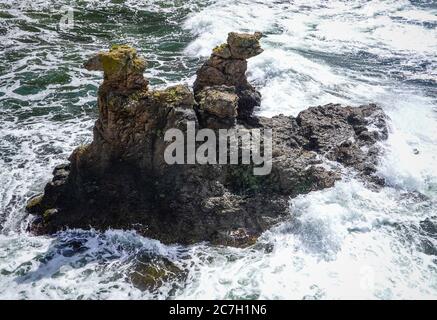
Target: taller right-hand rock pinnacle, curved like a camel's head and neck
x=227 y=66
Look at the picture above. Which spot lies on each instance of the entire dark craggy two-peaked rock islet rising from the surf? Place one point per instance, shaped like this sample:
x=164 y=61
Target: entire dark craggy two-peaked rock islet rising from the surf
x=121 y=179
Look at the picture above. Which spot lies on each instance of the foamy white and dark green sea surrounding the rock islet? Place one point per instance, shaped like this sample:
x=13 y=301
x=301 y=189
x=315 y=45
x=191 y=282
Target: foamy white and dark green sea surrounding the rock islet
x=344 y=242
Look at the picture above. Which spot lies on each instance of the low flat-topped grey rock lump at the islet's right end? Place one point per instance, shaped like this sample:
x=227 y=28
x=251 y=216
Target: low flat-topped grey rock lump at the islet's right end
x=345 y=134
